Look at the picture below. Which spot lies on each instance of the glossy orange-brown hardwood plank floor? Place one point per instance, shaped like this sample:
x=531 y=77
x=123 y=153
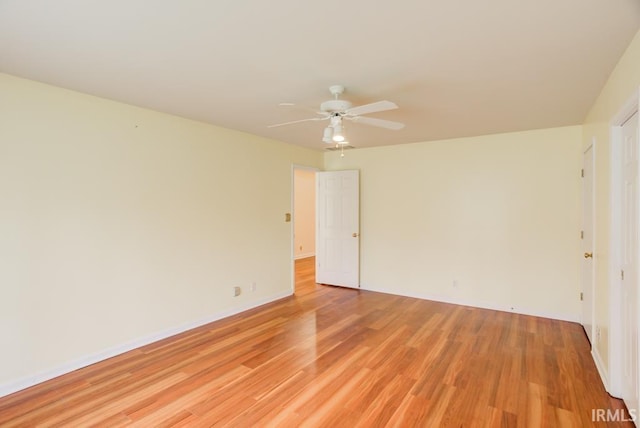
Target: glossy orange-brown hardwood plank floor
x=337 y=358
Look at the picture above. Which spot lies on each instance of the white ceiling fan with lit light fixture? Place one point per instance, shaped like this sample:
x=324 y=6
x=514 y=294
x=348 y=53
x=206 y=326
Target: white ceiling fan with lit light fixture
x=336 y=111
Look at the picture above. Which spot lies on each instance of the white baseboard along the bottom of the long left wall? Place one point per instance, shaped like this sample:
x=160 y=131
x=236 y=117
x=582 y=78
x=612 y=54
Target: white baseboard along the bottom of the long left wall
x=28 y=381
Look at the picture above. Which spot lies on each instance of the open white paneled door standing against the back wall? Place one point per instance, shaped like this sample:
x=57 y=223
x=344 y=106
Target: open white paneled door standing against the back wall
x=338 y=228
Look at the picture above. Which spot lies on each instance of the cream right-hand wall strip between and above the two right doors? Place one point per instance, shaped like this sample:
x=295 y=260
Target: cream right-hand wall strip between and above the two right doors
x=621 y=85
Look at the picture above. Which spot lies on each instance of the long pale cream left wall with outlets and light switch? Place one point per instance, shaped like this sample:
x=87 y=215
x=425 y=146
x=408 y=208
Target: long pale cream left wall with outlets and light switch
x=119 y=224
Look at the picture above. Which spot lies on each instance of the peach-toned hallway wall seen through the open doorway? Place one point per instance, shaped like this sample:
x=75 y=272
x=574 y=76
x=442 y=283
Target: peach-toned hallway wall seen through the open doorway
x=304 y=213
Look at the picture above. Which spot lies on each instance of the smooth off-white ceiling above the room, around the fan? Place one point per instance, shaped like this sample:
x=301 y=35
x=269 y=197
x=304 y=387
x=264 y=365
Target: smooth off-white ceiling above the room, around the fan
x=456 y=68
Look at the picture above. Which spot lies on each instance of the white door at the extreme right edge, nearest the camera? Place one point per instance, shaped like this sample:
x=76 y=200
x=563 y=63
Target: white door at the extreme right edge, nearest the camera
x=629 y=262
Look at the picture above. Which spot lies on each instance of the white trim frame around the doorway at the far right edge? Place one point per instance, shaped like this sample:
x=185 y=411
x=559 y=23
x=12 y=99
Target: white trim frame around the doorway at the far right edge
x=615 y=380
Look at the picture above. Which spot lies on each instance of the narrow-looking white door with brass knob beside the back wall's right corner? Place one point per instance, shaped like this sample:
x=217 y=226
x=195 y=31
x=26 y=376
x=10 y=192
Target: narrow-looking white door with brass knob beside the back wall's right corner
x=587 y=242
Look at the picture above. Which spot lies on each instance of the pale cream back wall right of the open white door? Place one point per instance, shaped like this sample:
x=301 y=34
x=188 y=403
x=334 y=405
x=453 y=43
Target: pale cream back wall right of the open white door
x=489 y=221
